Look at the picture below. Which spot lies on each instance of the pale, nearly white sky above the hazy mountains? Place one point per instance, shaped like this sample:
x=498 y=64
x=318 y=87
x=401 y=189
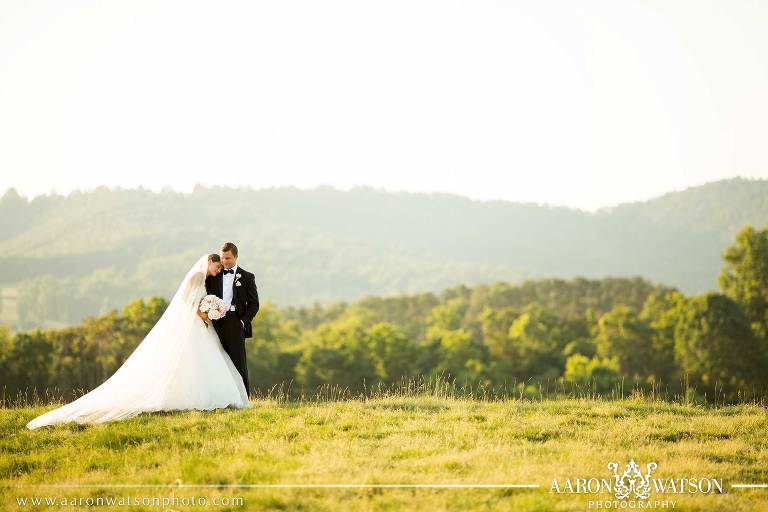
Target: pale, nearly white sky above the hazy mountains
x=578 y=103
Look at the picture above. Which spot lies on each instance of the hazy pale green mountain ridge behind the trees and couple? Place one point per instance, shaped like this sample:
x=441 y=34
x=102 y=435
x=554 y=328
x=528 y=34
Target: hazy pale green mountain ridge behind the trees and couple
x=99 y=249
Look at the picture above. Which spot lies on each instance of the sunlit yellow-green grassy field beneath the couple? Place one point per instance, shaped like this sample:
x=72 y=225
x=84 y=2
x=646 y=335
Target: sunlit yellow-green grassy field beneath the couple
x=427 y=439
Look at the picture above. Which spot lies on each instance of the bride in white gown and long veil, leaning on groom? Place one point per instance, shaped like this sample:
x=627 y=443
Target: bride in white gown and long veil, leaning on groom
x=180 y=364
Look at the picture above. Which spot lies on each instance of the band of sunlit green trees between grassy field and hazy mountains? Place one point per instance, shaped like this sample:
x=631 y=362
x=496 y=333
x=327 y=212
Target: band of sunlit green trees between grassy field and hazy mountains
x=580 y=332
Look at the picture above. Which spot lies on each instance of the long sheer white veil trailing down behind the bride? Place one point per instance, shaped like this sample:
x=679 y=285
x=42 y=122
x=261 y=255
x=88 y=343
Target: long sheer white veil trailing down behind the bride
x=142 y=382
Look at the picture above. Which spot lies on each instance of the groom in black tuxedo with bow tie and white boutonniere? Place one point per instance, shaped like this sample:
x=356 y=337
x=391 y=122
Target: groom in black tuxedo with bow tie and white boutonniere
x=237 y=288
